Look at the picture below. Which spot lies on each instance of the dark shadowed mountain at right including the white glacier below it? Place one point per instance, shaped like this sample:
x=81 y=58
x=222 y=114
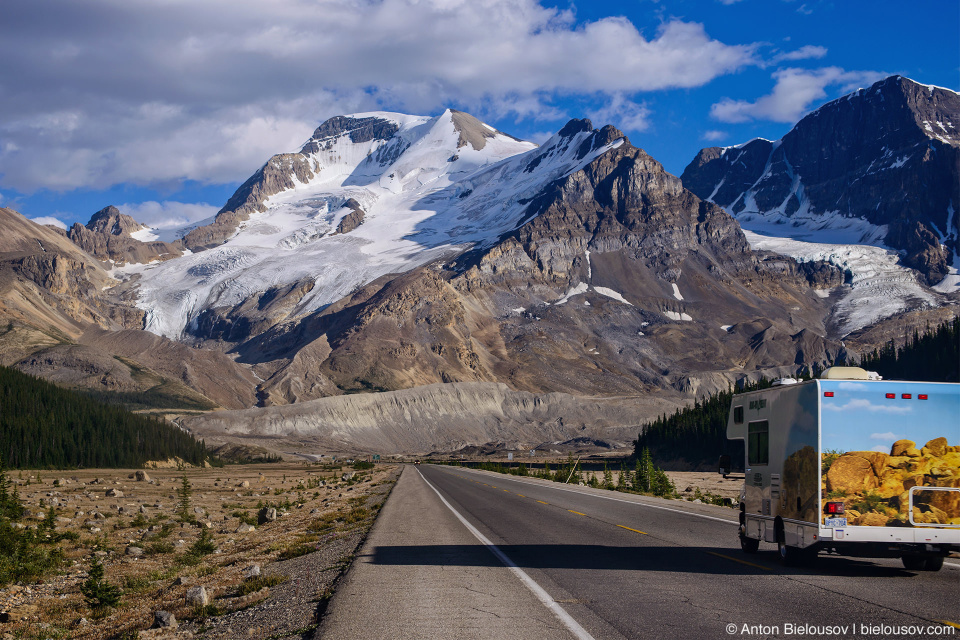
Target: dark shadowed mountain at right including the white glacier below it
x=869 y=182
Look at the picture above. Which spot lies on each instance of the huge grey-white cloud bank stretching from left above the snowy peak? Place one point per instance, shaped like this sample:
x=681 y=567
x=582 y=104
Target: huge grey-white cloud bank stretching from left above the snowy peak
x=105 y=91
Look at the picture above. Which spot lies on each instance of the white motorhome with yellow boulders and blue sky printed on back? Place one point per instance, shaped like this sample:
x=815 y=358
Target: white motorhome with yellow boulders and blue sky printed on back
x=850 y=464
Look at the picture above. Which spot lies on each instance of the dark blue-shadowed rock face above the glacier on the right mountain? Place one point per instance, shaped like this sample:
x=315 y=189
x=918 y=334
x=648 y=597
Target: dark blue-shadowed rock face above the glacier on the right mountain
x=862 y=156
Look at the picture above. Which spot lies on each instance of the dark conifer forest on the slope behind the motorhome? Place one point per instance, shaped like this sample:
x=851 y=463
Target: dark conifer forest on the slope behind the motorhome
x=697 y=435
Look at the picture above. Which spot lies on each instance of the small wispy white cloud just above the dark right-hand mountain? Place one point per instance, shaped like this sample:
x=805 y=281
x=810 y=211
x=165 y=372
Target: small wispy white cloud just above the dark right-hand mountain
x=793 y=94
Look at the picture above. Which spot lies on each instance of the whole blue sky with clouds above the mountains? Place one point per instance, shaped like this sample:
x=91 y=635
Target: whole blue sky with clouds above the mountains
x=164 y=107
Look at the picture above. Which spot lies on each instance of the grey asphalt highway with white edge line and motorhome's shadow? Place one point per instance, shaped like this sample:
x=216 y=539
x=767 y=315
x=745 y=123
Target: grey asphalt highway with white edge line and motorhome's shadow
x=588 y=563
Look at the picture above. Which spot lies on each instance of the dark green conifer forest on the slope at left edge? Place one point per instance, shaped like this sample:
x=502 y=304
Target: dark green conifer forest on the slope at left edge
x=44 y=426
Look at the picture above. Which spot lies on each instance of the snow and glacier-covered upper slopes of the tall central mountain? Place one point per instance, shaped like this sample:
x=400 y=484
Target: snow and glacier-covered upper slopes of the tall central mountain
x=367 y=195
